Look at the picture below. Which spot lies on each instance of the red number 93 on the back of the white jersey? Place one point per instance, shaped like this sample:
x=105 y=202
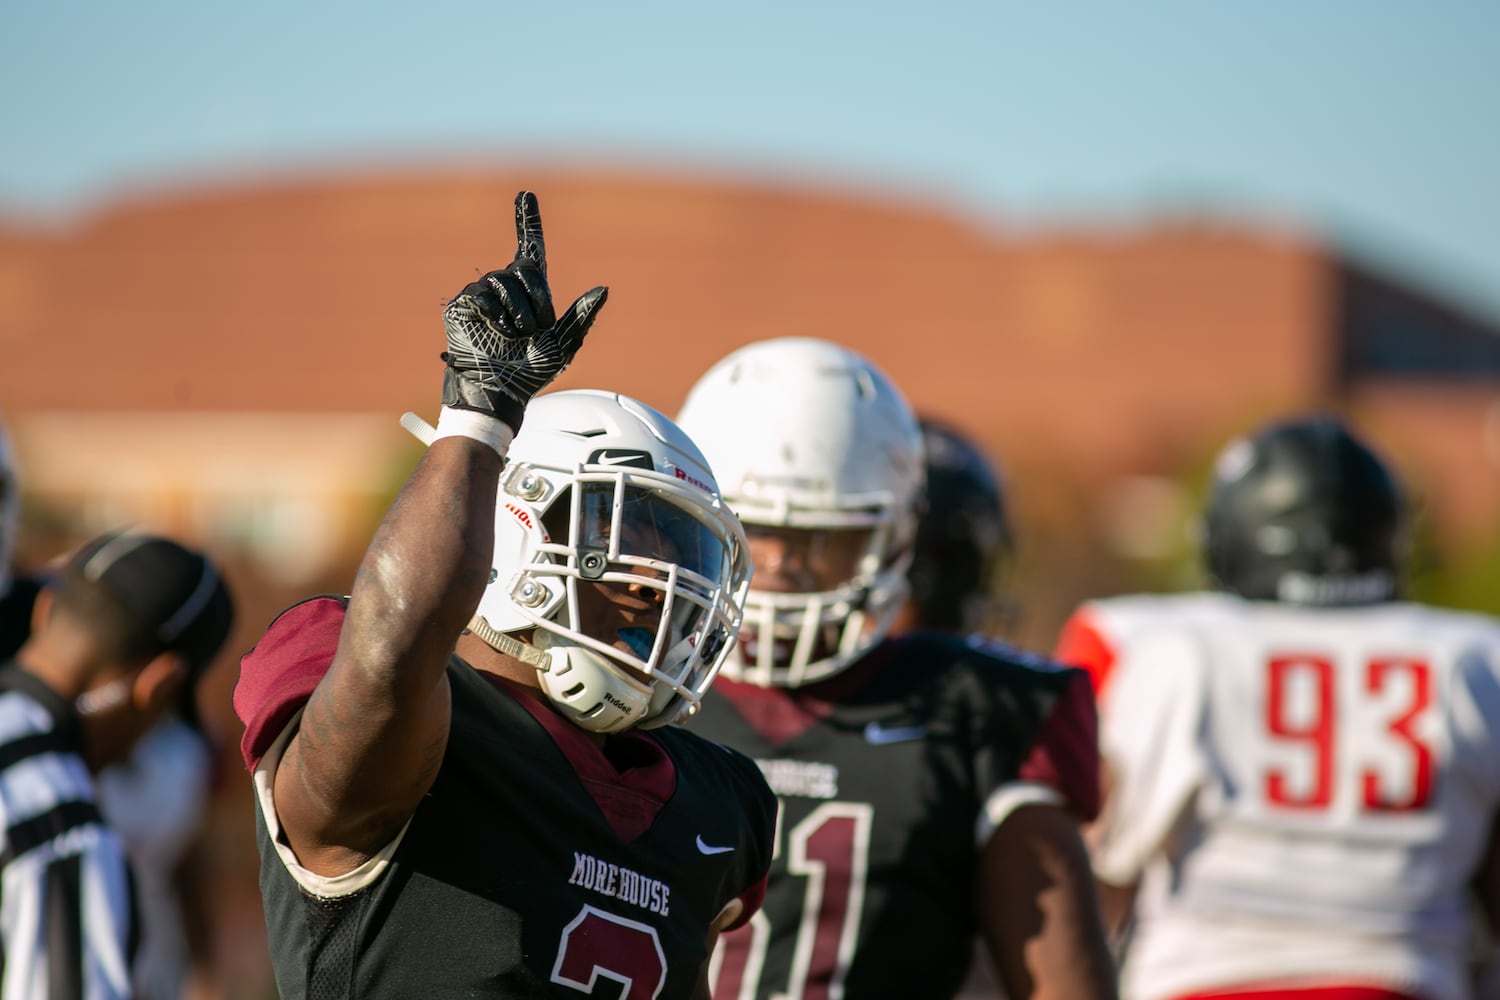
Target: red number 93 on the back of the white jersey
x=1316 y=720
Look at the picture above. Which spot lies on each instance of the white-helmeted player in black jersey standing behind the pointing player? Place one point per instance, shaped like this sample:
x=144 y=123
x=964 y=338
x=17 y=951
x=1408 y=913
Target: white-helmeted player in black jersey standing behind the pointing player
x=932 y=788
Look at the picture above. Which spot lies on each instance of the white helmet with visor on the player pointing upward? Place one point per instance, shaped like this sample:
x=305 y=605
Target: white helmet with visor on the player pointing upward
x=599 y=488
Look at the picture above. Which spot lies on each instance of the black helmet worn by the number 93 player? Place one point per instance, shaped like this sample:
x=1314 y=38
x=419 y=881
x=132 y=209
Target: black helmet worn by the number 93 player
x=1303 y=512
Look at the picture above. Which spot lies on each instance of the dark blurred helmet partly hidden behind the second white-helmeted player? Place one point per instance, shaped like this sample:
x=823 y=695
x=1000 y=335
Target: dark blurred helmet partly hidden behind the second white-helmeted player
x=964 y=536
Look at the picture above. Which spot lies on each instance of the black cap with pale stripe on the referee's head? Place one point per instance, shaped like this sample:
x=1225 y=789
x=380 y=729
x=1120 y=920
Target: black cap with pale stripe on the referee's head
x=176 y=593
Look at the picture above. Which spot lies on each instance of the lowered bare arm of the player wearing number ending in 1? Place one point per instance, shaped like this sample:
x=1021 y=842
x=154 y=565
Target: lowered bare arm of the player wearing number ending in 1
x=1039 y=911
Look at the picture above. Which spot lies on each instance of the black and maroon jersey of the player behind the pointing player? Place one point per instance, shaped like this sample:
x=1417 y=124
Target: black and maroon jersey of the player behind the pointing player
x=889 y=776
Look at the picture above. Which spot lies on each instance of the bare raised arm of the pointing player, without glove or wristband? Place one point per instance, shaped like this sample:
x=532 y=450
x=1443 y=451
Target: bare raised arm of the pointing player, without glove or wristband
x=374 y=731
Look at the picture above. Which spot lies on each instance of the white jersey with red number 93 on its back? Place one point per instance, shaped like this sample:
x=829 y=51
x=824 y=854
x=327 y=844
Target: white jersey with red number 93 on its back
x=1315 y=785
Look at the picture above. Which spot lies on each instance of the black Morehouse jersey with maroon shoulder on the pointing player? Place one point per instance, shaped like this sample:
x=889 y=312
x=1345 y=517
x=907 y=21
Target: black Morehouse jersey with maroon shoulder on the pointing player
x=539 y=866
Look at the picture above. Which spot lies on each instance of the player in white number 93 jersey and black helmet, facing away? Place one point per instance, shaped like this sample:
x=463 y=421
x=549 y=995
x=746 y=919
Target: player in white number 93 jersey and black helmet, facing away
x=1304 y=771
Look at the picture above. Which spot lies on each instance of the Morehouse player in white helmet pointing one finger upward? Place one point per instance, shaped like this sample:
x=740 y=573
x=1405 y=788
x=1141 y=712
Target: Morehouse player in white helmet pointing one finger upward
x=466 y=776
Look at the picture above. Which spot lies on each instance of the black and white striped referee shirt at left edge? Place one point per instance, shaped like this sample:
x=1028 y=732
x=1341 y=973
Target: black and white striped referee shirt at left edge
x=67 y=897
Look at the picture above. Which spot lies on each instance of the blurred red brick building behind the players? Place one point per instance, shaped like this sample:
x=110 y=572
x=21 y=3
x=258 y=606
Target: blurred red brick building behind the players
x=230 y=364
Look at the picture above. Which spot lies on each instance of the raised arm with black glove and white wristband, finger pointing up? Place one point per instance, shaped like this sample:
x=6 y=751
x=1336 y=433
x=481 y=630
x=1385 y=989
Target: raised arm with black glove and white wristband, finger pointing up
x=374 y=732
